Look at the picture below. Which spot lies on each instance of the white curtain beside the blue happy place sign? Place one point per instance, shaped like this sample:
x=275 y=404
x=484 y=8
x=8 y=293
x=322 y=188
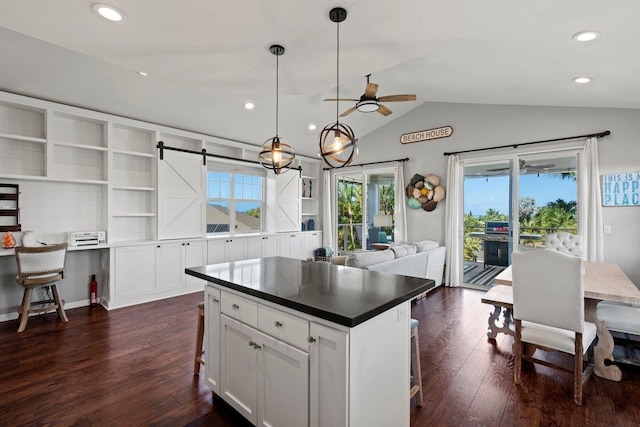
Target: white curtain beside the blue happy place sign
x=590 y=219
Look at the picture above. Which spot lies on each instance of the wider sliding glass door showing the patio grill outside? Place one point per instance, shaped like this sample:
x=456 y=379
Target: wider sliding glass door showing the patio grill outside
x=511 y=204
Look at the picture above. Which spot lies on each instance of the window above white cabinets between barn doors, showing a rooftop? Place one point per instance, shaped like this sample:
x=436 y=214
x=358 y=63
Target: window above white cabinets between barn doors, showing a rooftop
x=234 y=202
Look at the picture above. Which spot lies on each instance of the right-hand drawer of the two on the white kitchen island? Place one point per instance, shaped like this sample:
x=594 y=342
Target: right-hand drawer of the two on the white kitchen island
x=284 y=327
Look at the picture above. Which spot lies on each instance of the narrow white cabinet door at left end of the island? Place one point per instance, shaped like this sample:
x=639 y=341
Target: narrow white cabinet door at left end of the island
x=212 y=340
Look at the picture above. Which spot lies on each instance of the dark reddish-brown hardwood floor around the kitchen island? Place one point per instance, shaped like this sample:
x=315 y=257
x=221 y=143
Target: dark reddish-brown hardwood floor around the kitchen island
x=133 y=367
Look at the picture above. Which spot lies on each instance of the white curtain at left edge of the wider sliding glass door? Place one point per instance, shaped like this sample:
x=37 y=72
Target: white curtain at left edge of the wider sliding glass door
x=454 y=222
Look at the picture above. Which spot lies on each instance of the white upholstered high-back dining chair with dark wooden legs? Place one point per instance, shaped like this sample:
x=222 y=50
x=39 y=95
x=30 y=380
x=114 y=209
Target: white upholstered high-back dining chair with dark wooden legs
x=548 y=309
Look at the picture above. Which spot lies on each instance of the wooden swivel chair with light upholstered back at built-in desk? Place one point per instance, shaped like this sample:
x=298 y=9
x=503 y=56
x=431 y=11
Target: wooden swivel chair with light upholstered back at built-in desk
x=41 y=266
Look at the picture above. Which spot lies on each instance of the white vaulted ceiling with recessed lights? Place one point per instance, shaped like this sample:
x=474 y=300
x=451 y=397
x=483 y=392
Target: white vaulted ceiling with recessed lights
x=205 y=58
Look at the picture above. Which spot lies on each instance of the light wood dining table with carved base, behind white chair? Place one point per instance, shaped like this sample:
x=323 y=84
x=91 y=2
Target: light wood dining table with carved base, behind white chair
x=603 y=281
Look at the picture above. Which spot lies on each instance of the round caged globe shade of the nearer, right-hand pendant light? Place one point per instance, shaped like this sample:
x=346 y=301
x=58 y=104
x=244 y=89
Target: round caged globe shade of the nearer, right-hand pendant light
x=337 y=145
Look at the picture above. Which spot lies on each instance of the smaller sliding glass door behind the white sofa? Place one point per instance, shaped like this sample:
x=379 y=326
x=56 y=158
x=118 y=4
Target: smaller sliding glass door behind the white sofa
x=365 y=205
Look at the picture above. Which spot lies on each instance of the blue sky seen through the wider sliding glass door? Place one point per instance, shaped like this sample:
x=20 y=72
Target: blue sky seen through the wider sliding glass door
x=481 y=194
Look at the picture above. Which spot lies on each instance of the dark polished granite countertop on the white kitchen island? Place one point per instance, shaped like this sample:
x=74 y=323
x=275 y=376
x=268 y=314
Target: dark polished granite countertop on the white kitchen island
x=344 y=295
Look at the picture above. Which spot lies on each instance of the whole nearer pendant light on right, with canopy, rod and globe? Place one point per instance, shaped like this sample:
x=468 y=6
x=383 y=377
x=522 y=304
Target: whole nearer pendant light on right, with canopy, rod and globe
x=337 y=141
